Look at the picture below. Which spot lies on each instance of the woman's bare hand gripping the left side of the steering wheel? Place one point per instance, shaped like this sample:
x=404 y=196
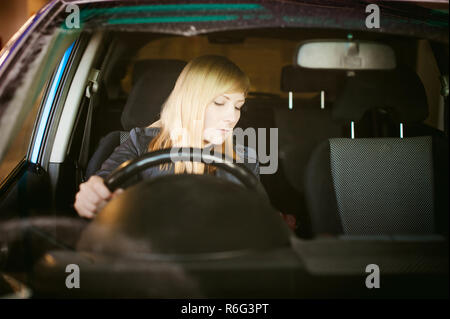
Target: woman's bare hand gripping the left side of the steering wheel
x=93 y=195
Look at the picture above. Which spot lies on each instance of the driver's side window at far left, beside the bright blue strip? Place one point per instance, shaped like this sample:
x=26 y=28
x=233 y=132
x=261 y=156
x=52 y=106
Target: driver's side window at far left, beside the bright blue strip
x=23 y=88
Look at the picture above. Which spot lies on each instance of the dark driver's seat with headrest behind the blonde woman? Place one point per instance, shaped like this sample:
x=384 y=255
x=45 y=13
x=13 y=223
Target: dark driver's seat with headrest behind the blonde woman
x=152 y=80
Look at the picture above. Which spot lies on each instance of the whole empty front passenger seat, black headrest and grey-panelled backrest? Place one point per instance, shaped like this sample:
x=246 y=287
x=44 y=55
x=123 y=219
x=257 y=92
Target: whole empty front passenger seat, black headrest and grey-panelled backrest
x=380 y=186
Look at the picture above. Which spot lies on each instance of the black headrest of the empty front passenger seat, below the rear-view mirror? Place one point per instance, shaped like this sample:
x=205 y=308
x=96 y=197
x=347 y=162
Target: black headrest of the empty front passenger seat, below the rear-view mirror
x=400 y=92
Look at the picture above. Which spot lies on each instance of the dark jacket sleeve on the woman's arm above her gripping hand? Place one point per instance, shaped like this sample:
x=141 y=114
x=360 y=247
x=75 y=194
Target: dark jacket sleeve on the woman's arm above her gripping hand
x=126 y=151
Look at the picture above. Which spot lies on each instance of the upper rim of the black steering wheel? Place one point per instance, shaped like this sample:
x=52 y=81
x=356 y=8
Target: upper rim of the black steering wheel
x=135 y=166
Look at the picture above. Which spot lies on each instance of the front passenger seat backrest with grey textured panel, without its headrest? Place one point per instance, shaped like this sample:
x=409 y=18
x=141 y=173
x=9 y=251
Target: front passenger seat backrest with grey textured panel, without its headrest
x=379 y=186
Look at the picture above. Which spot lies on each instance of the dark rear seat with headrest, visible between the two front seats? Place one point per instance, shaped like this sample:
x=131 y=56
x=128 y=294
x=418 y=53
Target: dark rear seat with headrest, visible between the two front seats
x=300 y=129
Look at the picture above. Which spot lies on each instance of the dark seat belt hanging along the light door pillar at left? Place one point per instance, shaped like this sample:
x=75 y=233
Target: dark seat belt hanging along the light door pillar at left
x=91 y=89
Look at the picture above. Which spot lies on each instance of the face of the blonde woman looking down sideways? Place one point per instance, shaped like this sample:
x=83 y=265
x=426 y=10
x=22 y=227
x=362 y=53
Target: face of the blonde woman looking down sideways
x=221 y=116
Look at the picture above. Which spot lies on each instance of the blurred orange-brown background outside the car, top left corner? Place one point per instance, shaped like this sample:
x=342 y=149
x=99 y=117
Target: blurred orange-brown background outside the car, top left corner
x=13 y=14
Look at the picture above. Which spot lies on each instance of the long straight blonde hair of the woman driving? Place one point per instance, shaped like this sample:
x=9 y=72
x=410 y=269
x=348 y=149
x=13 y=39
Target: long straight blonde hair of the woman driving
x=182 y=116
